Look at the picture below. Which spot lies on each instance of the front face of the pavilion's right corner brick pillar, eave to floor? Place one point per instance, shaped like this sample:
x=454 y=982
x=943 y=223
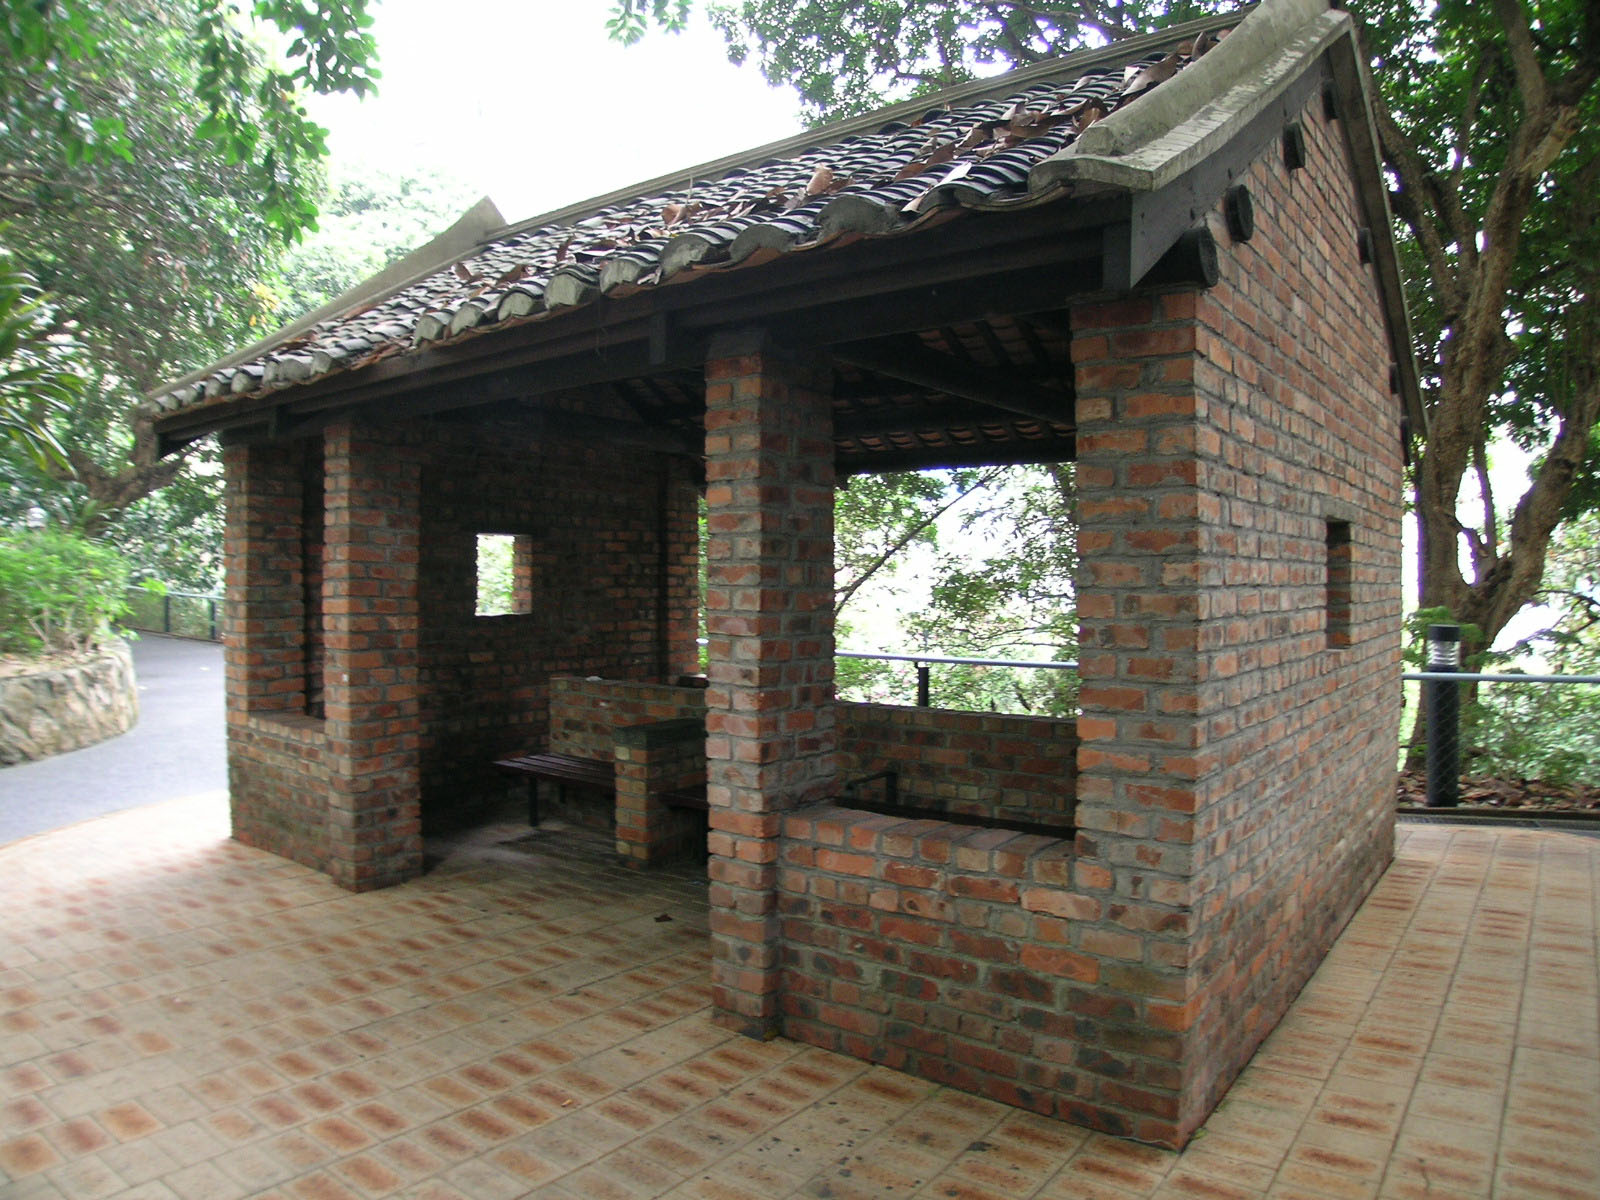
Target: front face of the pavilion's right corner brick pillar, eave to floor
x=1143 y=772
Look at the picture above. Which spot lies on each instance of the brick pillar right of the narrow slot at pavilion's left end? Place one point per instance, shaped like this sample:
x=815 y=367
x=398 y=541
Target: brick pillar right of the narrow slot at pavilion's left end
x=370 y=615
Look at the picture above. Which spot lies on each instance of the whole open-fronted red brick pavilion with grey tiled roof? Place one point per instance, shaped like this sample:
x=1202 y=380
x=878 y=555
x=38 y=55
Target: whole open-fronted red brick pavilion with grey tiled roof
x=1167 y=262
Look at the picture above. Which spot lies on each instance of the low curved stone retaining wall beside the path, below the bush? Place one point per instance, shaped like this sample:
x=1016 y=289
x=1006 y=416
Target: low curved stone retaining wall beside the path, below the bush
x=57 y=711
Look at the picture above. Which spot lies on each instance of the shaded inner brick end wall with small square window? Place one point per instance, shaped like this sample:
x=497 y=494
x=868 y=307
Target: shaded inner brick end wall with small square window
x=606 y=526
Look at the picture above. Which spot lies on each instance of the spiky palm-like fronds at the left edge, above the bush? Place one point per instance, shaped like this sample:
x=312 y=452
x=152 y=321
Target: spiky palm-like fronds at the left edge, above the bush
x=36 y=383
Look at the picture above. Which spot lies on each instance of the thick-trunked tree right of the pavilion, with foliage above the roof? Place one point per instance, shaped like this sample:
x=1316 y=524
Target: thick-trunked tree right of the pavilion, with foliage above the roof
x=1490 y=126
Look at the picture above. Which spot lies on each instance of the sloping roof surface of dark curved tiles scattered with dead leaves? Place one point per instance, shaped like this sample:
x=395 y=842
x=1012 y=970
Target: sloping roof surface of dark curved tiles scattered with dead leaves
x=966 y=156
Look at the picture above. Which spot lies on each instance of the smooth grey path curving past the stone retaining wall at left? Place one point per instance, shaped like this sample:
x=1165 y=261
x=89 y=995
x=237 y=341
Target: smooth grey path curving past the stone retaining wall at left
x=175 y=751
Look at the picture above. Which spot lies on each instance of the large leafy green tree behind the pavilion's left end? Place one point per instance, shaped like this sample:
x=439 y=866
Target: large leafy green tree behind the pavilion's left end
x=132 y=198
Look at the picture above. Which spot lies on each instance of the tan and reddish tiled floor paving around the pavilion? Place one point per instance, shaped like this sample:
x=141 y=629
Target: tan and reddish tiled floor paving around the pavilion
x=182 y=1017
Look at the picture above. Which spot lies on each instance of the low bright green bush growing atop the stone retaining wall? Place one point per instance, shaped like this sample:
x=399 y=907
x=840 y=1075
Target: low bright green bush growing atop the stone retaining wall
x=58 y=593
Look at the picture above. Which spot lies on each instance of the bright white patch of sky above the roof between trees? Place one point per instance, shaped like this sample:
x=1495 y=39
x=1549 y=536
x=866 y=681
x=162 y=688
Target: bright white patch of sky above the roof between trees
x=532 y=105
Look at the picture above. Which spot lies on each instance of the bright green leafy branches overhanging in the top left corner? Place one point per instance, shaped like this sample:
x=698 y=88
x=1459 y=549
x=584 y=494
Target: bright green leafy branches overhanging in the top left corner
x=249 y=113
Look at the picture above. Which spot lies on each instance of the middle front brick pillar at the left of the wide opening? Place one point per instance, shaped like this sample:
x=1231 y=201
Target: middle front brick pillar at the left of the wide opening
x=770 y=618
